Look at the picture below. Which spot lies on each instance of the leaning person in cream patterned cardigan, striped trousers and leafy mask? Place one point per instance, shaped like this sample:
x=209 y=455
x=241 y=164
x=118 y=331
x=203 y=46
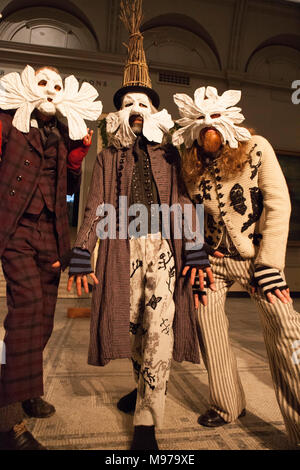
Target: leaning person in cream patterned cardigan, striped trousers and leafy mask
x=237 y=177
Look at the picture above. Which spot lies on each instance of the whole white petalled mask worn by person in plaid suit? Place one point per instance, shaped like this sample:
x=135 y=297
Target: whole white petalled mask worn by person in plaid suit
x=45 y=91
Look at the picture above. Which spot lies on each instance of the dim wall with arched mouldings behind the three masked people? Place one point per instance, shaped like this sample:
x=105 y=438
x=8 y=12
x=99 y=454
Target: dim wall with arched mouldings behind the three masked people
x=252 y=45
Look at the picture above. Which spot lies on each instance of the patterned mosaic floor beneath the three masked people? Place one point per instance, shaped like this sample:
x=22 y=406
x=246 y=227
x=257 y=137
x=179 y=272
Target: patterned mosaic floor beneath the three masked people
x=85 y=397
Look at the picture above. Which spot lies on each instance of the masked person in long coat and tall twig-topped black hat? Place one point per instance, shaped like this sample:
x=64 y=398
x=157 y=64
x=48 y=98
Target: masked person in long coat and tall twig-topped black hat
x=138 y=284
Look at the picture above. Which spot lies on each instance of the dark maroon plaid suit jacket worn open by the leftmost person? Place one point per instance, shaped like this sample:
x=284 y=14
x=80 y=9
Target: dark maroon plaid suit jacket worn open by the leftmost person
x=19 y=178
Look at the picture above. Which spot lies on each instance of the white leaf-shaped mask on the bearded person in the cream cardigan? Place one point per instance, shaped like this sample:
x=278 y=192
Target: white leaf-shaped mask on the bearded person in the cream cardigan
x=209 y=110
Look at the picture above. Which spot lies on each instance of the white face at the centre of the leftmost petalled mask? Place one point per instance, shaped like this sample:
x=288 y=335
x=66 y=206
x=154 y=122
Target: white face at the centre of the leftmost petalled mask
x=50 y=89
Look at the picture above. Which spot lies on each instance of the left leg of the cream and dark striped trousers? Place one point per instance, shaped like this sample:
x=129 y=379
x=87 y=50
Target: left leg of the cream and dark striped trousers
x=226 y=392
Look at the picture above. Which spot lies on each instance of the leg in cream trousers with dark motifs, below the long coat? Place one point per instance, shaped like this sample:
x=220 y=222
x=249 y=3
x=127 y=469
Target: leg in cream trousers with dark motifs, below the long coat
x=157 y=334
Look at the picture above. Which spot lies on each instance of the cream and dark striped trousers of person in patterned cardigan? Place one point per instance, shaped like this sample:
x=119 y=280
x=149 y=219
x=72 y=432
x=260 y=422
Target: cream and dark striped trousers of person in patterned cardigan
x=281 y=330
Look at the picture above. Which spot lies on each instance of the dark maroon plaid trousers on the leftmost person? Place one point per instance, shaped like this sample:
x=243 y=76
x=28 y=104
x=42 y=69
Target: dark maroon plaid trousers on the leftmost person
x=31 y=286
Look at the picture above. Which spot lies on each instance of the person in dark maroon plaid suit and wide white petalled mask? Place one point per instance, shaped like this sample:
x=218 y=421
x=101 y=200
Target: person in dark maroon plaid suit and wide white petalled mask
x=40 y=164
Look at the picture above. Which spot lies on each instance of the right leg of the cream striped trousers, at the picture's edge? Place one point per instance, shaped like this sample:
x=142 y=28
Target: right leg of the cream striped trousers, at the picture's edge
x=281 y=330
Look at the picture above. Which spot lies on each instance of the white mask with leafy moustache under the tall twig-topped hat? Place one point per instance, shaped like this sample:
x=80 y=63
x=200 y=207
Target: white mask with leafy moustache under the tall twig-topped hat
x=154 y=125
